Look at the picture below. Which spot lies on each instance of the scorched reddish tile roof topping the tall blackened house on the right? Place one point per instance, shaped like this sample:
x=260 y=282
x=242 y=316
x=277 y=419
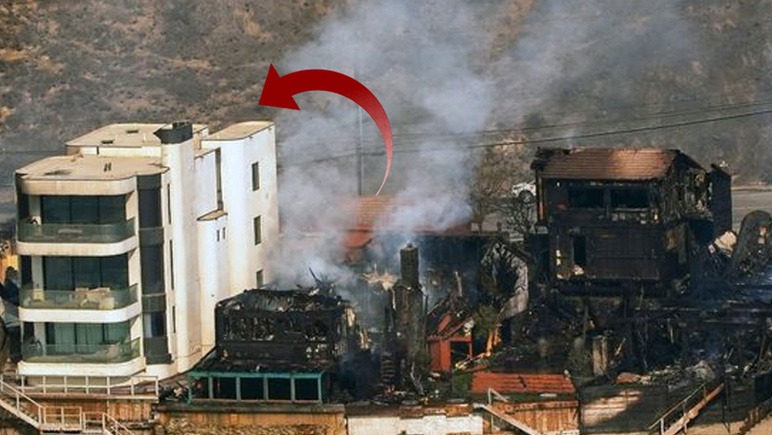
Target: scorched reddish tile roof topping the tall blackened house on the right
x=609 y=164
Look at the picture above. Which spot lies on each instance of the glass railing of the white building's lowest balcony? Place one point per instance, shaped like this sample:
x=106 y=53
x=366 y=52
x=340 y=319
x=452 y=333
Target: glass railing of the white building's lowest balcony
x=80 y=353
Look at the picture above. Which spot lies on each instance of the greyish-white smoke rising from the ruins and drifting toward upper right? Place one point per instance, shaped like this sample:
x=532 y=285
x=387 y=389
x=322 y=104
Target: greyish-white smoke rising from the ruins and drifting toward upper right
x=444 y=72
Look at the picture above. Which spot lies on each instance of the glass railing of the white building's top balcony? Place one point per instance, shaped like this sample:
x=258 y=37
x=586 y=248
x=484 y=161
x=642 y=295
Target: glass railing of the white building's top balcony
x=75 y=233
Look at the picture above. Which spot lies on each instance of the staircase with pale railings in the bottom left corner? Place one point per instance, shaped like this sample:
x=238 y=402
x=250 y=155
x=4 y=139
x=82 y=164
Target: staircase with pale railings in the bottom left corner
x=57 y=419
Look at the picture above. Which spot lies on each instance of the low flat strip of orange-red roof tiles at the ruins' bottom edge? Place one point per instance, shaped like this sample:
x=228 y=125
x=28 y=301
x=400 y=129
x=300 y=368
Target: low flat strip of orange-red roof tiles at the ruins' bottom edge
x=512 y=383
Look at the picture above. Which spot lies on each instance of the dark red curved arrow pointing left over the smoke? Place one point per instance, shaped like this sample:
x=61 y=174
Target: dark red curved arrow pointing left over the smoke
x=279 y=91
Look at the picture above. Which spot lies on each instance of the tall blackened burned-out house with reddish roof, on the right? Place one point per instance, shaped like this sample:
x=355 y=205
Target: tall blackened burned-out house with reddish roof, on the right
x=610 y=220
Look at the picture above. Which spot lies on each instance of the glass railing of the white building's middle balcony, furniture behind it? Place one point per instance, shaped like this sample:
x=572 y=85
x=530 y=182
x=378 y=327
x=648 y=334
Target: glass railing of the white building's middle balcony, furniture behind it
x=101 y=298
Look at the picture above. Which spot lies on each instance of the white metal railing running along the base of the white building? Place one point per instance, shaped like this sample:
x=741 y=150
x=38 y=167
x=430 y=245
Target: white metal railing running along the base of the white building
x=139 y=386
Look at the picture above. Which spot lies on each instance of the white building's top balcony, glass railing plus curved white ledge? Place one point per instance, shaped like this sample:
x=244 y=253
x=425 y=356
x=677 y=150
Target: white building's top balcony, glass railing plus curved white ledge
x=76 y=239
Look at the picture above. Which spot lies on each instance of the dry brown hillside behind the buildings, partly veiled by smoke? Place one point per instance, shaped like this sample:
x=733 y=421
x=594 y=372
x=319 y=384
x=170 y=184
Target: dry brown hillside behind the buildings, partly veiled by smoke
x=445 y=70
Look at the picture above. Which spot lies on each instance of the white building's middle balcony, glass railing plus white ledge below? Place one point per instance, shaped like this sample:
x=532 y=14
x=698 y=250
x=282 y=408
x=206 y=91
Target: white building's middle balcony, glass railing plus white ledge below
x=99 y=305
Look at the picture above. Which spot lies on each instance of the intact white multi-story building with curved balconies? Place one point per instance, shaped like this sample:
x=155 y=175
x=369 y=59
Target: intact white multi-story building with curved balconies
x=129 y=240
